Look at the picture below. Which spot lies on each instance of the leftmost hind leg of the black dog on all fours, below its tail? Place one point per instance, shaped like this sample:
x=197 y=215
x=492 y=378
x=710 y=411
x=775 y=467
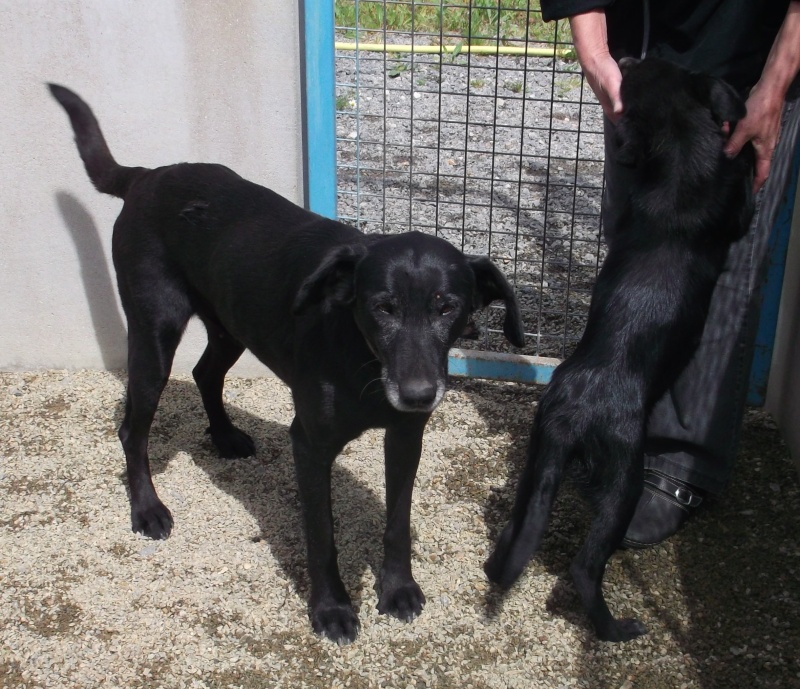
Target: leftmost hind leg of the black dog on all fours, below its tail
x=153 y=337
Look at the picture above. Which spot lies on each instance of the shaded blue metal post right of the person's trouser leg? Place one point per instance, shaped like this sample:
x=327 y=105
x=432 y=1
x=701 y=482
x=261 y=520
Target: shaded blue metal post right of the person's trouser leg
x=771 y=292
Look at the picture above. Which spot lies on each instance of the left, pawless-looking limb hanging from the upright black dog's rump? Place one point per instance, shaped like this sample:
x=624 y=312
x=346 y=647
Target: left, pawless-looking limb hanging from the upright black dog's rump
x=521 y=538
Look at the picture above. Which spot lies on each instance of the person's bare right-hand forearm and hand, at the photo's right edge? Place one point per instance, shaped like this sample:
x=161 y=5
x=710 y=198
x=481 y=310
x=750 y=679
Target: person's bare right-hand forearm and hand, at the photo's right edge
x=762 y=124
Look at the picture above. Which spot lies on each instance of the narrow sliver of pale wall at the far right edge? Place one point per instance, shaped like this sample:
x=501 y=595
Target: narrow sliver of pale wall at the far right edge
x=783 y=392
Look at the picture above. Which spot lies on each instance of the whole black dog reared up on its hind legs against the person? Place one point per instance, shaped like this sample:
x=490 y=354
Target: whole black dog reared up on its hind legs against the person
x=648 y=310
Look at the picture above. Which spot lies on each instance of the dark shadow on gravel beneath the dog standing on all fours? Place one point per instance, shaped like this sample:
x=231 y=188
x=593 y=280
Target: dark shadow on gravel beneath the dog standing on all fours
x=265 y=486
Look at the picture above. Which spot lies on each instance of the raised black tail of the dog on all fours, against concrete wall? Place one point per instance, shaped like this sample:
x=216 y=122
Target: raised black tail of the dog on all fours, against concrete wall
x=106 y=174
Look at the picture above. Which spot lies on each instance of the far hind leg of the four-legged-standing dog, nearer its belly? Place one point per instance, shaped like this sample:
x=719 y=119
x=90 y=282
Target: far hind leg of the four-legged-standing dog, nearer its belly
x=220 y=354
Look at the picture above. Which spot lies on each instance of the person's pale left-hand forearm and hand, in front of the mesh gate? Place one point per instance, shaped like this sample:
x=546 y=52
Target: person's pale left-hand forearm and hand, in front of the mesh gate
x=590 y=37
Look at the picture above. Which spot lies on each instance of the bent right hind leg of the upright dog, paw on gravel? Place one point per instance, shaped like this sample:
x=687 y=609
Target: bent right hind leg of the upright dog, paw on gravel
x=622 y=482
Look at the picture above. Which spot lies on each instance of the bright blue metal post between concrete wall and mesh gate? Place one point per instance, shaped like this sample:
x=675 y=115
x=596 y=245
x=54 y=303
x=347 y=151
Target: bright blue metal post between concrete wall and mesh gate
x=320 y=106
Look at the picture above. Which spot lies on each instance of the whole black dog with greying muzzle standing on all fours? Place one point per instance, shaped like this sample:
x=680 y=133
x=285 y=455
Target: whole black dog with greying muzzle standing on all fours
x=358 y=326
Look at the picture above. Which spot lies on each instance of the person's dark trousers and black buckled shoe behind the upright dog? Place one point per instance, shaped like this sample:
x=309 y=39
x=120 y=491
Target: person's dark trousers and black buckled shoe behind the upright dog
x=693 y=430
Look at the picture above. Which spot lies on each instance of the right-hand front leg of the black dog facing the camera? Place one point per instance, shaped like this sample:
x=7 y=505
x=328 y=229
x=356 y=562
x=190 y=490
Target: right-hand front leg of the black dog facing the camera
x=400 y=596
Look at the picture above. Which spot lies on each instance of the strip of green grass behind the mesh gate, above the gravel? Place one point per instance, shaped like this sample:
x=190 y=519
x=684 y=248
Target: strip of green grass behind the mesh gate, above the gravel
x=477 y=22
